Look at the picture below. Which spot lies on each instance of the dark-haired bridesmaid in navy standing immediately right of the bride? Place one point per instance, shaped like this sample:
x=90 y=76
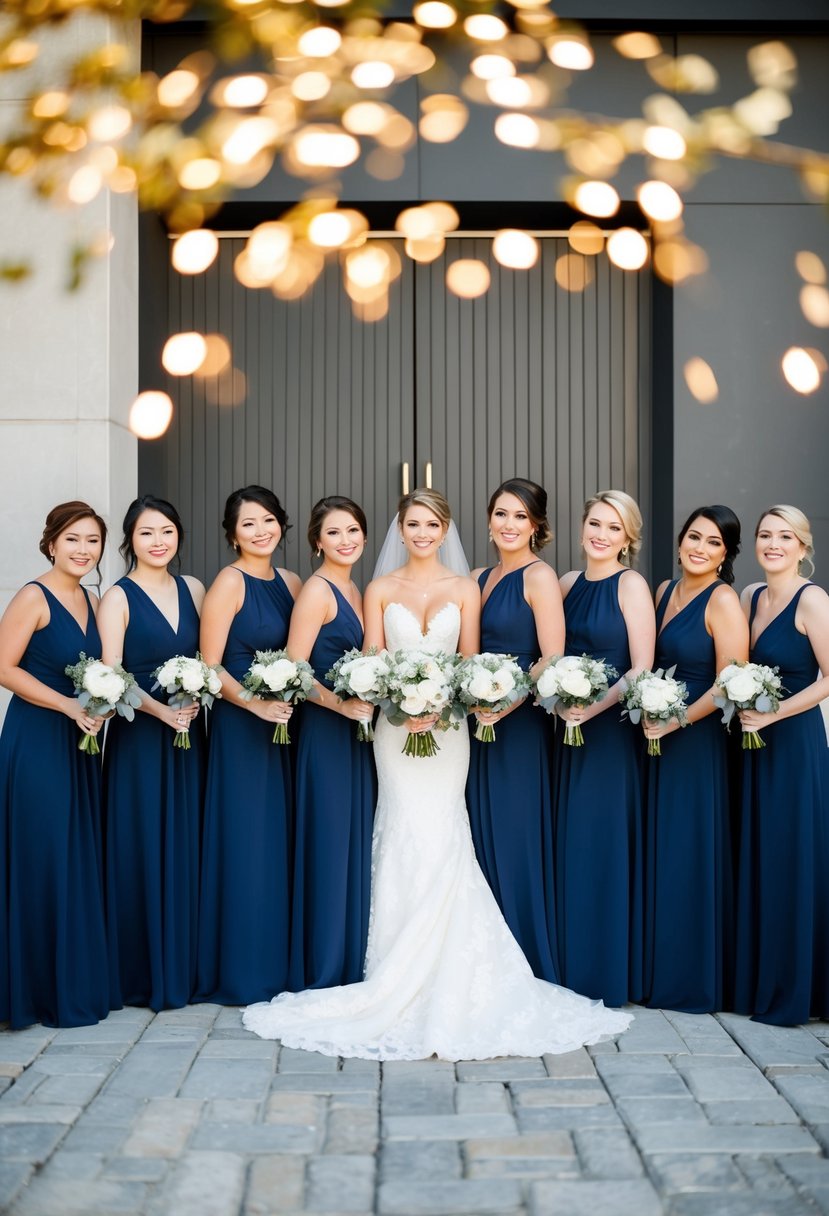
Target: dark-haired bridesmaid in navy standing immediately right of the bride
x=510 y=792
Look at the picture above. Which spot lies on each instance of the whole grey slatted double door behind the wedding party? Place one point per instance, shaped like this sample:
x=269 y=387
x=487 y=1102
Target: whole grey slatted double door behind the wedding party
x=531 y=380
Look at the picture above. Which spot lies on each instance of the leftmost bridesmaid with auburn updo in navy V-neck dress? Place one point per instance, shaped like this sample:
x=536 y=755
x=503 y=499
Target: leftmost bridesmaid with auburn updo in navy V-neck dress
x=53 y=938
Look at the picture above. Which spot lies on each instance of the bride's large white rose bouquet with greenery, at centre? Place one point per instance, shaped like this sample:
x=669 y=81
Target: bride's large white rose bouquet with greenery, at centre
x=419 y=685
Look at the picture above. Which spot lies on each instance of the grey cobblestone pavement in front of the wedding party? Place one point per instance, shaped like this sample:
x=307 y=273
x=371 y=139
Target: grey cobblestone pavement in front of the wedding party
x=187 y=1113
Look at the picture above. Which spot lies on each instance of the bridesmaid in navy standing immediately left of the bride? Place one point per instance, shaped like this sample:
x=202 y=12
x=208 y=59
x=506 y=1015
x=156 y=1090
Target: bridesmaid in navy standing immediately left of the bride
x=336 y=782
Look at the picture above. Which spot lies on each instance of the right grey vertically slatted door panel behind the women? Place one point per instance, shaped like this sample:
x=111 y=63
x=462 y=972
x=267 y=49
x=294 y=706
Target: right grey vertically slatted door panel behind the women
x=535 y=381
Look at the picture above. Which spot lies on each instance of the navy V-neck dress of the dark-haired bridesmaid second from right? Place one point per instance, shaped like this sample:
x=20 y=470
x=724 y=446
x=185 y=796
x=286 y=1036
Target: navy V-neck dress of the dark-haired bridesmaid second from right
x=689 y=911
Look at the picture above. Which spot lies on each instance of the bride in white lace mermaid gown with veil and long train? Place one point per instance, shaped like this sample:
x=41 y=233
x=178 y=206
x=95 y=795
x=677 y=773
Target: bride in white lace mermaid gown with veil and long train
x=444 y=976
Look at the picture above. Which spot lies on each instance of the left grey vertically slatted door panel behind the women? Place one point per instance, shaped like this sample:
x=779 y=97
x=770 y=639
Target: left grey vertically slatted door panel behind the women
x=329 y=408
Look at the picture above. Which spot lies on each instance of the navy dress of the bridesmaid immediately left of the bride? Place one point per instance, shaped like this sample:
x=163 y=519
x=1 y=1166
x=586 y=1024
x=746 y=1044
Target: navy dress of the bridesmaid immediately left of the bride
x=336 y=793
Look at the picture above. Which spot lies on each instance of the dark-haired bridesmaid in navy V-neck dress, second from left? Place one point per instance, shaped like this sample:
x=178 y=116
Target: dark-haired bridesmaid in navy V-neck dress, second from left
x=154 y=792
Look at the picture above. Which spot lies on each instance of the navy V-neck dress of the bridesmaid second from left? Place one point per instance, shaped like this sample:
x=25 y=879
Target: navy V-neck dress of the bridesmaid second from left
x=154 y=796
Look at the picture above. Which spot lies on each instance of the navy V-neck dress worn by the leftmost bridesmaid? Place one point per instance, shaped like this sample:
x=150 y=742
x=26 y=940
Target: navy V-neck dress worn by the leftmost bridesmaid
x=53 y=938
